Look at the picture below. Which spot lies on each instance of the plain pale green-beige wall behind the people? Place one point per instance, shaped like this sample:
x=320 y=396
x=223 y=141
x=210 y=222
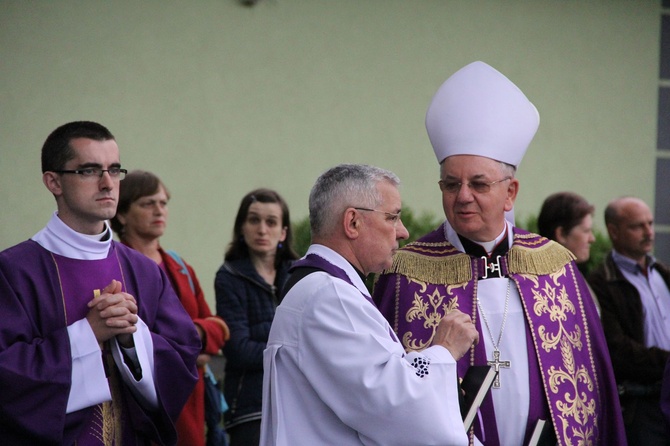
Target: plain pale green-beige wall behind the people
x=218 y=98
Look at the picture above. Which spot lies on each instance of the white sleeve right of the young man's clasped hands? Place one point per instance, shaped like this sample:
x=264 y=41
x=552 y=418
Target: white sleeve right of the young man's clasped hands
x=143 y=353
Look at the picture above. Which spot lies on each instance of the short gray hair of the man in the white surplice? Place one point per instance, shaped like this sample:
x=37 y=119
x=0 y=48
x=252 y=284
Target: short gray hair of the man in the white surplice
x=343 y=186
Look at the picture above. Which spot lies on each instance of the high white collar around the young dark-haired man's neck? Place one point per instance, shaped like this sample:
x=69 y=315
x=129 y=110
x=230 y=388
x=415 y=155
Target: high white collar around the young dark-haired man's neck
x=62 y=240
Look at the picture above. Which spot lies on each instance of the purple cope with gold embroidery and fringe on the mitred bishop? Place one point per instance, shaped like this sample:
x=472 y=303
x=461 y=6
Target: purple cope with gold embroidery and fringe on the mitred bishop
x=571 y=380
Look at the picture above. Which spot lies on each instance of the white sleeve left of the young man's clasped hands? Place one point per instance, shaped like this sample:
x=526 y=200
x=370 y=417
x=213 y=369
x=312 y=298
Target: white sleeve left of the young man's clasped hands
x=89 y=383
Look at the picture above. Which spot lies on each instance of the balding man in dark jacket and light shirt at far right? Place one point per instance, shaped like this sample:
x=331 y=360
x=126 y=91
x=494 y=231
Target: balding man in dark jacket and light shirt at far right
x=633 y=289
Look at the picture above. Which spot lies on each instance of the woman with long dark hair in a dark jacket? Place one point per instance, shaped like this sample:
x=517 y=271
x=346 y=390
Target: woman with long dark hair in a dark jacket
x=247 y=293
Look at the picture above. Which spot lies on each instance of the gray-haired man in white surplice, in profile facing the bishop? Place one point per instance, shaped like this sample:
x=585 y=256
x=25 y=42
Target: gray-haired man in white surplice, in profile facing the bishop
x=334 y=371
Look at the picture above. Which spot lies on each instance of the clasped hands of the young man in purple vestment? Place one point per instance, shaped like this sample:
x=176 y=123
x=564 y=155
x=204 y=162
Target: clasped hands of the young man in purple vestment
x=113 y=313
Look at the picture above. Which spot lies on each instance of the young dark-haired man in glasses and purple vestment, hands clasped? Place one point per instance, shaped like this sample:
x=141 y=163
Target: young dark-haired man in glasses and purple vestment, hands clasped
x=95 y=347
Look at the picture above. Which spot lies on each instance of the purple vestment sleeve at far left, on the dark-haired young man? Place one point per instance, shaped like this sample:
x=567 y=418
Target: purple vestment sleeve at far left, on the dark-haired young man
x=35 y=355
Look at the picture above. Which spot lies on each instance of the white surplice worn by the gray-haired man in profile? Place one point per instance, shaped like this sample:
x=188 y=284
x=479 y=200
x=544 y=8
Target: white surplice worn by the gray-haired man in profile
x=335 y=374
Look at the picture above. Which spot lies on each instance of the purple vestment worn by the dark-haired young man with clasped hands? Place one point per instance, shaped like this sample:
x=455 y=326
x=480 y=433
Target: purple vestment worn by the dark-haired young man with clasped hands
x=35 y=358
